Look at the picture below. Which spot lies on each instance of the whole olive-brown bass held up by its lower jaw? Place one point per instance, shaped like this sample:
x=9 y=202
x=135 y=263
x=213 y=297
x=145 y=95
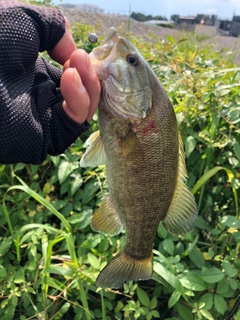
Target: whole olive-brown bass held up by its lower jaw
x=140 y=144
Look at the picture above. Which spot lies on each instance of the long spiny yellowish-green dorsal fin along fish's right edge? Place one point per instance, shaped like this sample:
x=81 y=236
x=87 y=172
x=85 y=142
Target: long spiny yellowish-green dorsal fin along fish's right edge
x=182 y=213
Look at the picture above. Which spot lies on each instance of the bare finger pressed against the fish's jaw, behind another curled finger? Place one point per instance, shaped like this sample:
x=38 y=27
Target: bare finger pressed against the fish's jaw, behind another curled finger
x=80 y=60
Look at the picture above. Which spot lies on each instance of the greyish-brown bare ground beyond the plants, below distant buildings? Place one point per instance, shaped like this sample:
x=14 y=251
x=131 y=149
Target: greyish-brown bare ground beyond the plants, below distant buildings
x=102 y=22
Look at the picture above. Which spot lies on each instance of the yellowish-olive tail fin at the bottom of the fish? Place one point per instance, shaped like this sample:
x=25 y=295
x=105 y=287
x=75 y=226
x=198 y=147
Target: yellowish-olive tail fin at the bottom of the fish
x=123 y=268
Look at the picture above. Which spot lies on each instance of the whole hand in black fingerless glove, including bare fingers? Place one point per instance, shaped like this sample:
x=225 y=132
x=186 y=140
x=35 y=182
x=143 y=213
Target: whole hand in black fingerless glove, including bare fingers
x=43 y=110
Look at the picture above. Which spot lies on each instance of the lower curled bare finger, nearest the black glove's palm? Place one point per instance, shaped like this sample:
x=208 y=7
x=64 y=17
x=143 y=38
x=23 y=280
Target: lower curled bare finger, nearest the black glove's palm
x=76 y=104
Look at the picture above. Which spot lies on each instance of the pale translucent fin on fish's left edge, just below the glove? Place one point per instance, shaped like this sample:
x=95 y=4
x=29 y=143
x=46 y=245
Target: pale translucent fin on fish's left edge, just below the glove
x=95 y=154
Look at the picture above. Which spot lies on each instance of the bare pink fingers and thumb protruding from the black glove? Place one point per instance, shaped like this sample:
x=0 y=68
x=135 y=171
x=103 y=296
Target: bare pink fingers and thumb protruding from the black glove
x=80 y=86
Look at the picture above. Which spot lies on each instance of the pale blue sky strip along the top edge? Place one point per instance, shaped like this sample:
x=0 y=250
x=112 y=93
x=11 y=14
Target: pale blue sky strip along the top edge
x=223 y=8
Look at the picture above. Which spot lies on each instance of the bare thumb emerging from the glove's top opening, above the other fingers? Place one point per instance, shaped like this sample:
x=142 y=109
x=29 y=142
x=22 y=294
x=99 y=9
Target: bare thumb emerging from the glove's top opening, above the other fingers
x=64 y=48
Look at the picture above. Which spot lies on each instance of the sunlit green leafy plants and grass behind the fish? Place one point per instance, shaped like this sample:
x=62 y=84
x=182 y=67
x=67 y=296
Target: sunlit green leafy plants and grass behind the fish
x=50 y=257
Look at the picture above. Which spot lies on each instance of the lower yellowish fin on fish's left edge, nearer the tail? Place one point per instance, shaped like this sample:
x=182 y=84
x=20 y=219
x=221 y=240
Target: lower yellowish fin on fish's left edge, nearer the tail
x=106 y=218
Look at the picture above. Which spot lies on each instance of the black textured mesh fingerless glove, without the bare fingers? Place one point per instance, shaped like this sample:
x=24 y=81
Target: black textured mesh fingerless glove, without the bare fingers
x=32 y=121
